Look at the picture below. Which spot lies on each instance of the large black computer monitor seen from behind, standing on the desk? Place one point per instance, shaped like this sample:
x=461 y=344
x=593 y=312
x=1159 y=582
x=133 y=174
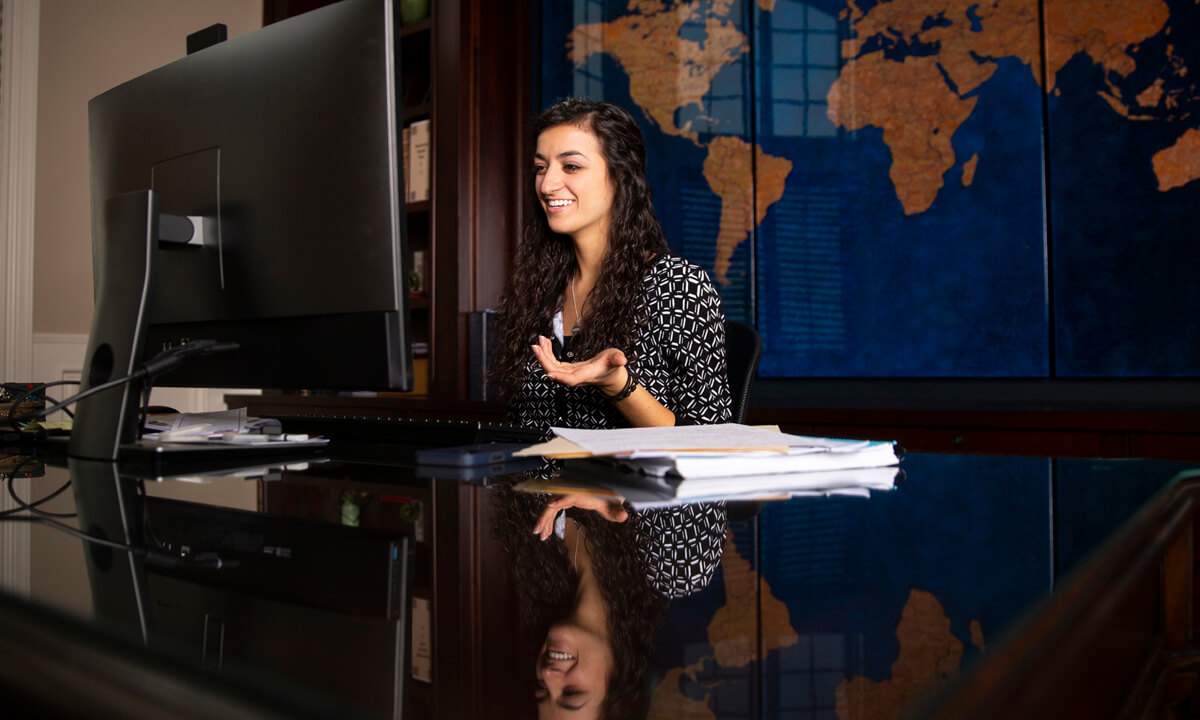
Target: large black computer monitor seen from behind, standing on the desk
x=253 y=194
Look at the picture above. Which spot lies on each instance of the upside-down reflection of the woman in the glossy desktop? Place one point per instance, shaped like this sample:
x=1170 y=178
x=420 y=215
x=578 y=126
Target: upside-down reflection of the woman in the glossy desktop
x=593 y=598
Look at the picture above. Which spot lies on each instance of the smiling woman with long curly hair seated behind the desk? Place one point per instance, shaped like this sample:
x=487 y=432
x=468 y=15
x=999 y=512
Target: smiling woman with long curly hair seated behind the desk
x=601 y=326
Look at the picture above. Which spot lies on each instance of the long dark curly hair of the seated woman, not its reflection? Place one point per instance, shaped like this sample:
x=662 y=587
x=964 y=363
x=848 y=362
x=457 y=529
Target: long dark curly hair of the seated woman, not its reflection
x=547 y=261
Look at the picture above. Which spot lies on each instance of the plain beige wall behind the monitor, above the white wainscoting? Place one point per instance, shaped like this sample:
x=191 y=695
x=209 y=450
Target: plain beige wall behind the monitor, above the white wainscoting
x=87 y=47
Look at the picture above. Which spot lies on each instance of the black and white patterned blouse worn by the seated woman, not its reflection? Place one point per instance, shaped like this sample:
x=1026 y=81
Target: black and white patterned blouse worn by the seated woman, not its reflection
x=679 y=356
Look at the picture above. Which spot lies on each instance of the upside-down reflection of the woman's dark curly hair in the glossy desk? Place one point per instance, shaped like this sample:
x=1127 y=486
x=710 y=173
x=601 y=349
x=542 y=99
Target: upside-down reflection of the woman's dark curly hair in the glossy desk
x=547 y=586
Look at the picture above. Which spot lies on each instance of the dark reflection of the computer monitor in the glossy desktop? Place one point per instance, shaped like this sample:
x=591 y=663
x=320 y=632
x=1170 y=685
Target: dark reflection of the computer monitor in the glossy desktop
x=245 y=593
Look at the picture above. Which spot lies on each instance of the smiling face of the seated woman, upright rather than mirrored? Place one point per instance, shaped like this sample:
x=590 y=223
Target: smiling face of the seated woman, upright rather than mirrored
x=572 y=181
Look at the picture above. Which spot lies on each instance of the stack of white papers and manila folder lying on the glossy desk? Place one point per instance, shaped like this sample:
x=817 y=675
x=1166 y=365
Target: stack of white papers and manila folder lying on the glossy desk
x=716 y=451
